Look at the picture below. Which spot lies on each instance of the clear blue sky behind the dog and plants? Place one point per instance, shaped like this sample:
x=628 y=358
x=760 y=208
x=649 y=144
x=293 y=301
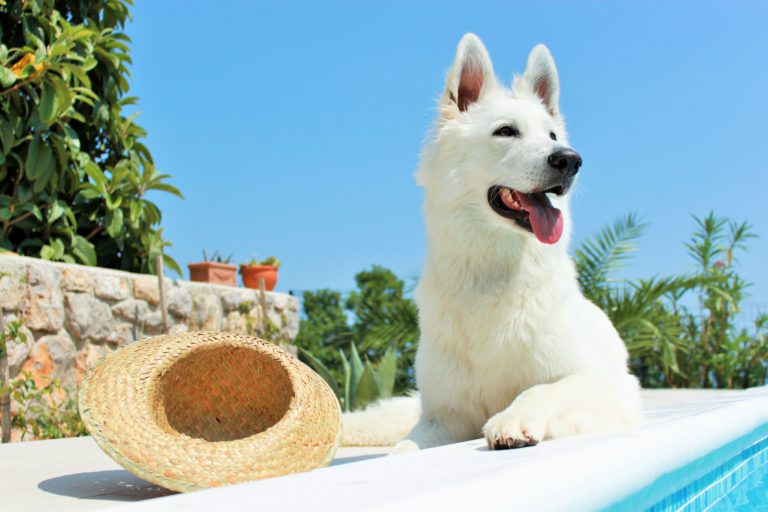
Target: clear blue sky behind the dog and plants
x=293 y=128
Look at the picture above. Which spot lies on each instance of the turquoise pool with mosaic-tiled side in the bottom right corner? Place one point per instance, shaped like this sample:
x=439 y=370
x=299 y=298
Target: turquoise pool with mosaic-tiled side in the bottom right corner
x=733 y=477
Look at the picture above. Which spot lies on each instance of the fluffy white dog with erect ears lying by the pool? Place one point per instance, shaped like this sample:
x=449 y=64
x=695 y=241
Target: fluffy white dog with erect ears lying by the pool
x=509 y=346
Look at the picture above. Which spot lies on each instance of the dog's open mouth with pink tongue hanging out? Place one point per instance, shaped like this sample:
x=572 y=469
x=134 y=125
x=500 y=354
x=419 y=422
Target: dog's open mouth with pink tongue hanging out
x=532 y=211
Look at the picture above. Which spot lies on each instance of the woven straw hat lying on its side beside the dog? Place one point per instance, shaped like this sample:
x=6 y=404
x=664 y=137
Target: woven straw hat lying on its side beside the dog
x=203 y=409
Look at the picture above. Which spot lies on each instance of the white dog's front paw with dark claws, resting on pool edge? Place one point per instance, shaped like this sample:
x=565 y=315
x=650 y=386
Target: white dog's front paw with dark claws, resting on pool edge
x=513 y=429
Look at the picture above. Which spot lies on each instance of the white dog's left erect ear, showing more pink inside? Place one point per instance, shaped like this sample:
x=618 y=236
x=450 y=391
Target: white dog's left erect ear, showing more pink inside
x=471 y=74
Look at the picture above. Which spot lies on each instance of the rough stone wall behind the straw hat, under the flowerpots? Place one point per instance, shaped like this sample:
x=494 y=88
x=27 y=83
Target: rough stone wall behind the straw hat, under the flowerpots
x=72 y=315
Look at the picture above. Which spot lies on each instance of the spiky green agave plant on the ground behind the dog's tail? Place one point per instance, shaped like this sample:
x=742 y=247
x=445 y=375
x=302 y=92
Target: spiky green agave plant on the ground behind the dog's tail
x=364 y=382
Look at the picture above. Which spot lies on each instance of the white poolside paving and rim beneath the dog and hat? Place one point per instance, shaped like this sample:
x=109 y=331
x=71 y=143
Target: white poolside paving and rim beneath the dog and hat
x=584 y=473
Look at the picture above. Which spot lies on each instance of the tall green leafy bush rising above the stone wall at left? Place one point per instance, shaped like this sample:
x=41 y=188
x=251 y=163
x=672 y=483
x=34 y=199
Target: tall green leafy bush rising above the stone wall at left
x=74 y=174
